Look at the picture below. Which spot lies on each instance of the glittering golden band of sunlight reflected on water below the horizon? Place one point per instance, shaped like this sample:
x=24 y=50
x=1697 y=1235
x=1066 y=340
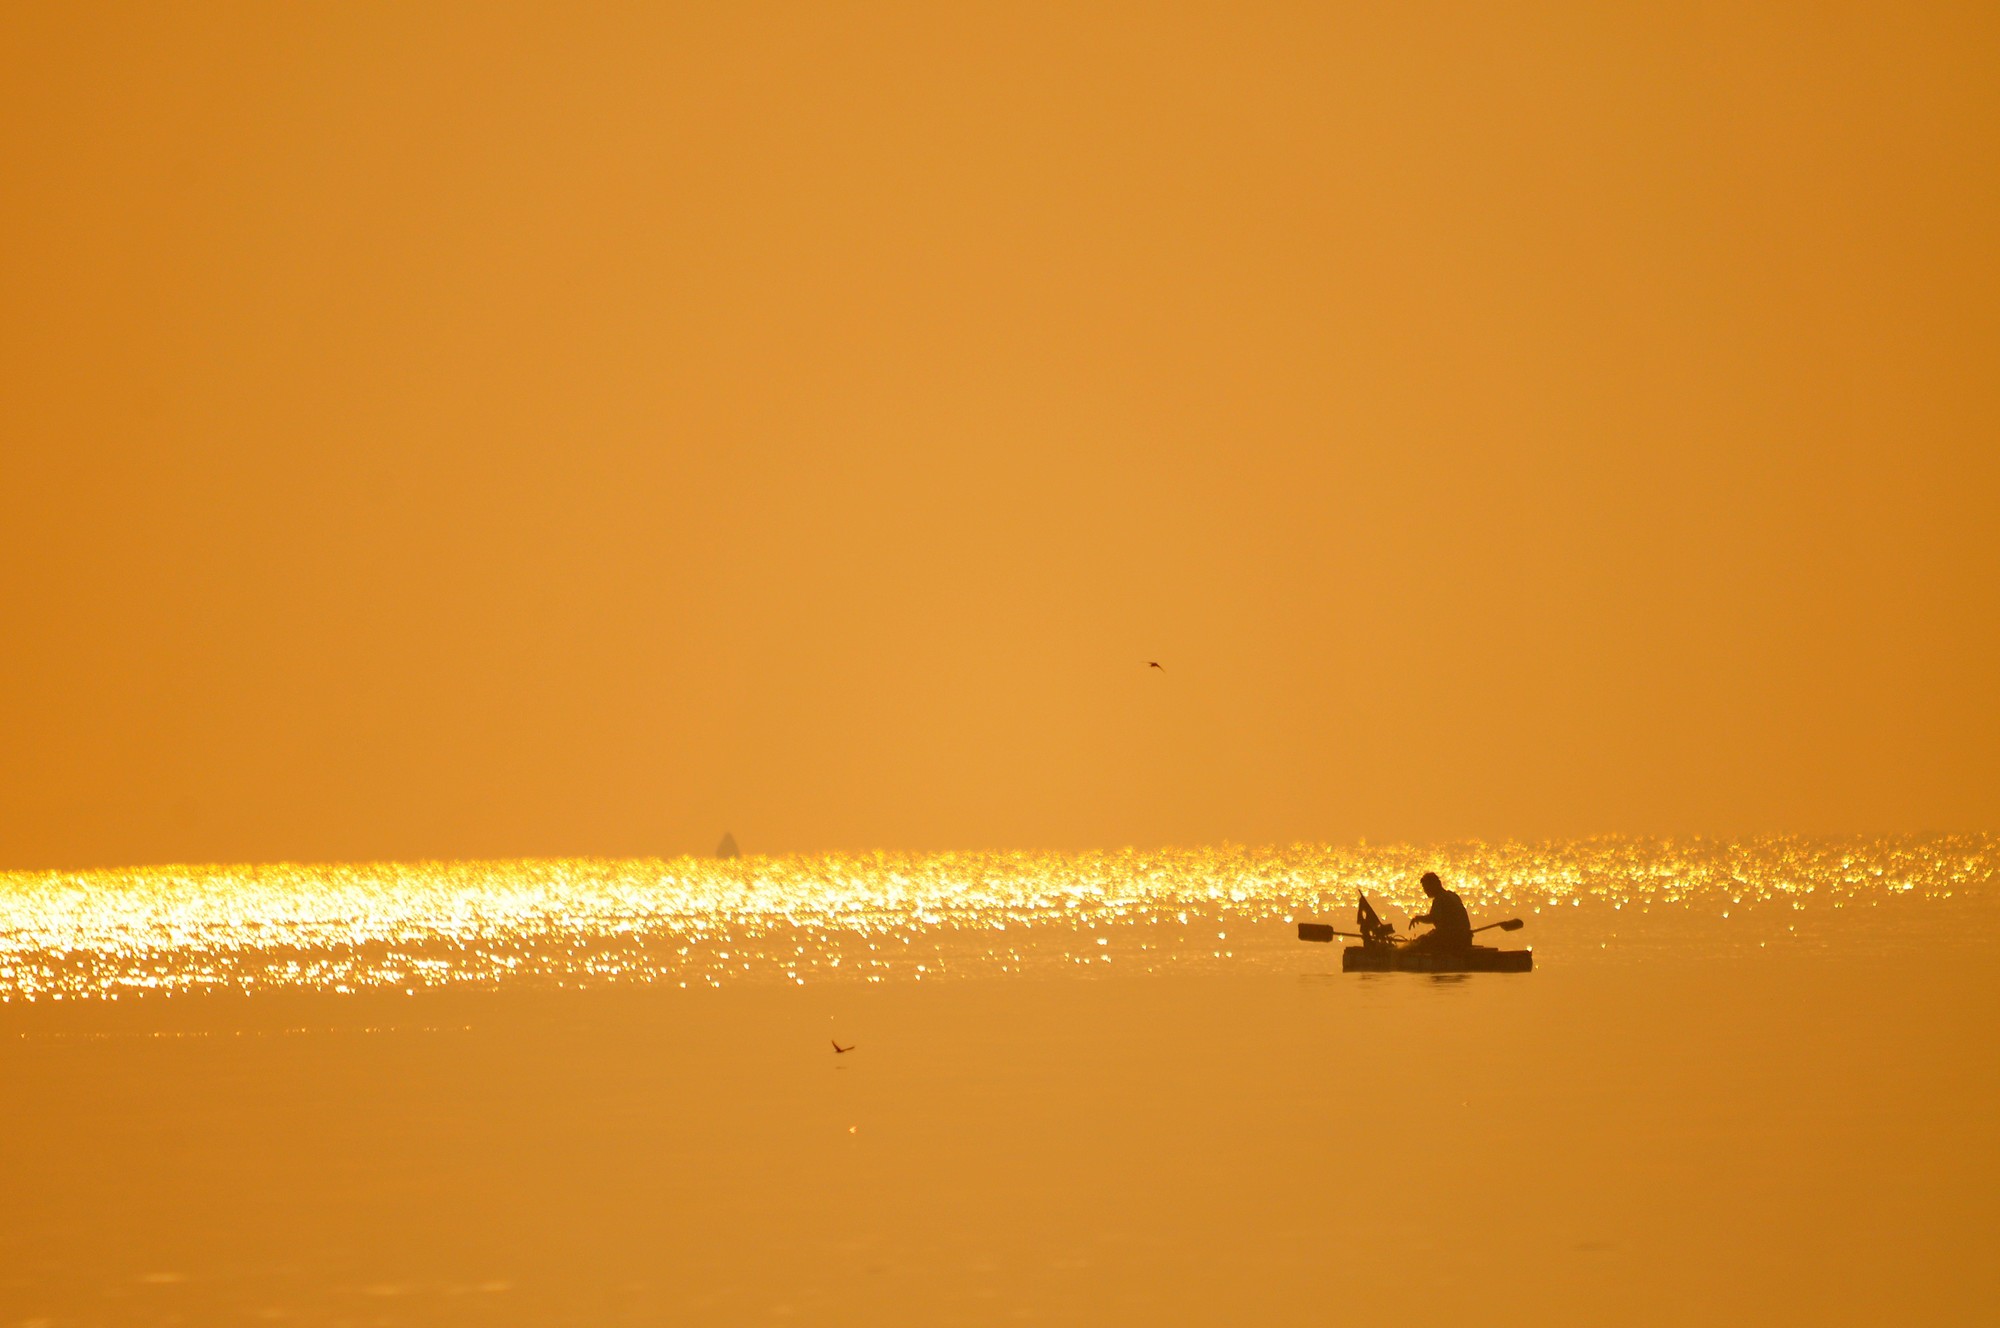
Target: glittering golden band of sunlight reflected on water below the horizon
x=873 y=917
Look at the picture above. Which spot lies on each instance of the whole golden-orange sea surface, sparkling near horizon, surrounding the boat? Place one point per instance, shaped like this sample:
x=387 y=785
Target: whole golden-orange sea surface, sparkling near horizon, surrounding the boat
x=1747 y=1083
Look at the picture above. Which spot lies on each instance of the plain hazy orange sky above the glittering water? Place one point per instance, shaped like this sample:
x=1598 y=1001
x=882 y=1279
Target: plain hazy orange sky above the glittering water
x=467 y=431
